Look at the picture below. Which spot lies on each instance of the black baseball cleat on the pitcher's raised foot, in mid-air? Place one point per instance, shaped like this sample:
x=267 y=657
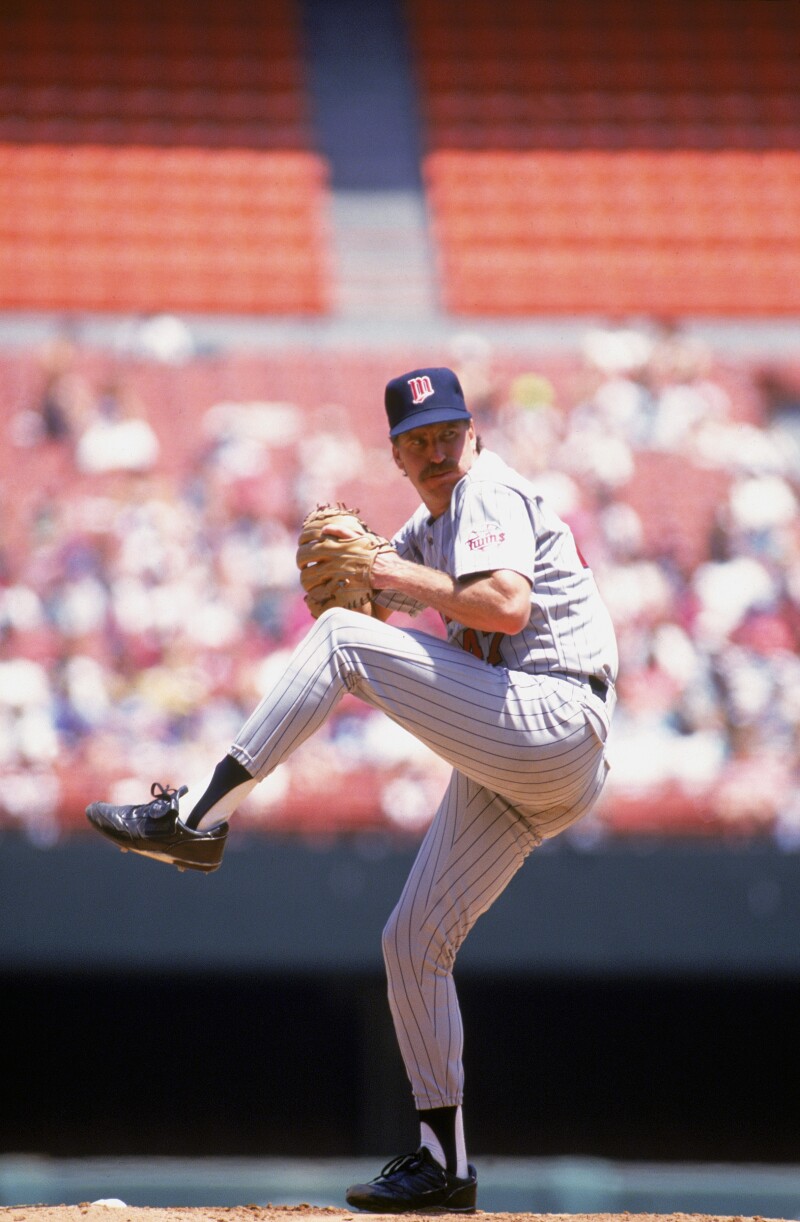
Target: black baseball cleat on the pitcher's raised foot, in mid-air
x=155 y=830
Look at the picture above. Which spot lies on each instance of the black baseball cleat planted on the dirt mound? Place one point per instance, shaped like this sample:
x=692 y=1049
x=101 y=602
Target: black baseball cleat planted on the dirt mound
x=416 y=1184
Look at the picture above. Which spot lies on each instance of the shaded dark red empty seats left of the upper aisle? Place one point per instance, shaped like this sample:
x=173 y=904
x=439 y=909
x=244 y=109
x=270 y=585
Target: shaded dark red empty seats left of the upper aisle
x=190 y=73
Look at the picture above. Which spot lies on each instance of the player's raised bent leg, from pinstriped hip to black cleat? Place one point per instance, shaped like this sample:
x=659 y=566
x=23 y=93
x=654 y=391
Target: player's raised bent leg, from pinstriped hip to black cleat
x=523 y=736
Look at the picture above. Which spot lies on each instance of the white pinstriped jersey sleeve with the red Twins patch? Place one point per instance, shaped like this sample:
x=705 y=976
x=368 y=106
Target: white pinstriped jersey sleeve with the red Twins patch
x=494 y=531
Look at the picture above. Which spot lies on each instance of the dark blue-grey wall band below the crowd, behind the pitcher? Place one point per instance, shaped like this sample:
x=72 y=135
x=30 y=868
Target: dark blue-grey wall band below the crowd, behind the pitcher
x=663 y=910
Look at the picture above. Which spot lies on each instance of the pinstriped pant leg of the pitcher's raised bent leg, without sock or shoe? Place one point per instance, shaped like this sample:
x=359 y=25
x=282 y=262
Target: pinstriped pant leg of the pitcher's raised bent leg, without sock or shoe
x=520 y=735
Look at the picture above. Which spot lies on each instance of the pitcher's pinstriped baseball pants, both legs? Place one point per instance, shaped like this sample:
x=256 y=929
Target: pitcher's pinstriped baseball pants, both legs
x=526 y=766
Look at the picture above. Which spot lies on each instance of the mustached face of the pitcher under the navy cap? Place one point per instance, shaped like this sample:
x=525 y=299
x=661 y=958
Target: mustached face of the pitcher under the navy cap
x=435 y=458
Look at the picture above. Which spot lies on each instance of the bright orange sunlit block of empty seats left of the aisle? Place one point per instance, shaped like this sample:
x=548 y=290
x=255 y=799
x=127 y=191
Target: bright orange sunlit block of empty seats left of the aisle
x=119 y=229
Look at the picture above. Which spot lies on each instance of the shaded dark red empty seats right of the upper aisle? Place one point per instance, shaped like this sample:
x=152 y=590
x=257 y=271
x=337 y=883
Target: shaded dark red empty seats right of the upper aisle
x=576 y=74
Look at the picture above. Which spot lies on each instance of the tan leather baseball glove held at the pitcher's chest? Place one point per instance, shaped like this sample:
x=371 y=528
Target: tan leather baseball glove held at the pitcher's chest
x=335 y=555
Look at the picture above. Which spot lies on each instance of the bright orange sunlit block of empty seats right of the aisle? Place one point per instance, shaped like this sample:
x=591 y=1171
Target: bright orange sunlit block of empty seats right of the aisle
x=661 y=232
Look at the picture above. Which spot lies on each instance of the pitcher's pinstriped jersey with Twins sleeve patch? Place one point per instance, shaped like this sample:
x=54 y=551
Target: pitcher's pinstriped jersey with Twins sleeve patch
x=496 y=520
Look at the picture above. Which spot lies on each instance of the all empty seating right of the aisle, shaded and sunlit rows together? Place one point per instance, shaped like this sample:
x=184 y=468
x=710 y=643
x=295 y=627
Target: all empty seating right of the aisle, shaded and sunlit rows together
x=619 y=158
